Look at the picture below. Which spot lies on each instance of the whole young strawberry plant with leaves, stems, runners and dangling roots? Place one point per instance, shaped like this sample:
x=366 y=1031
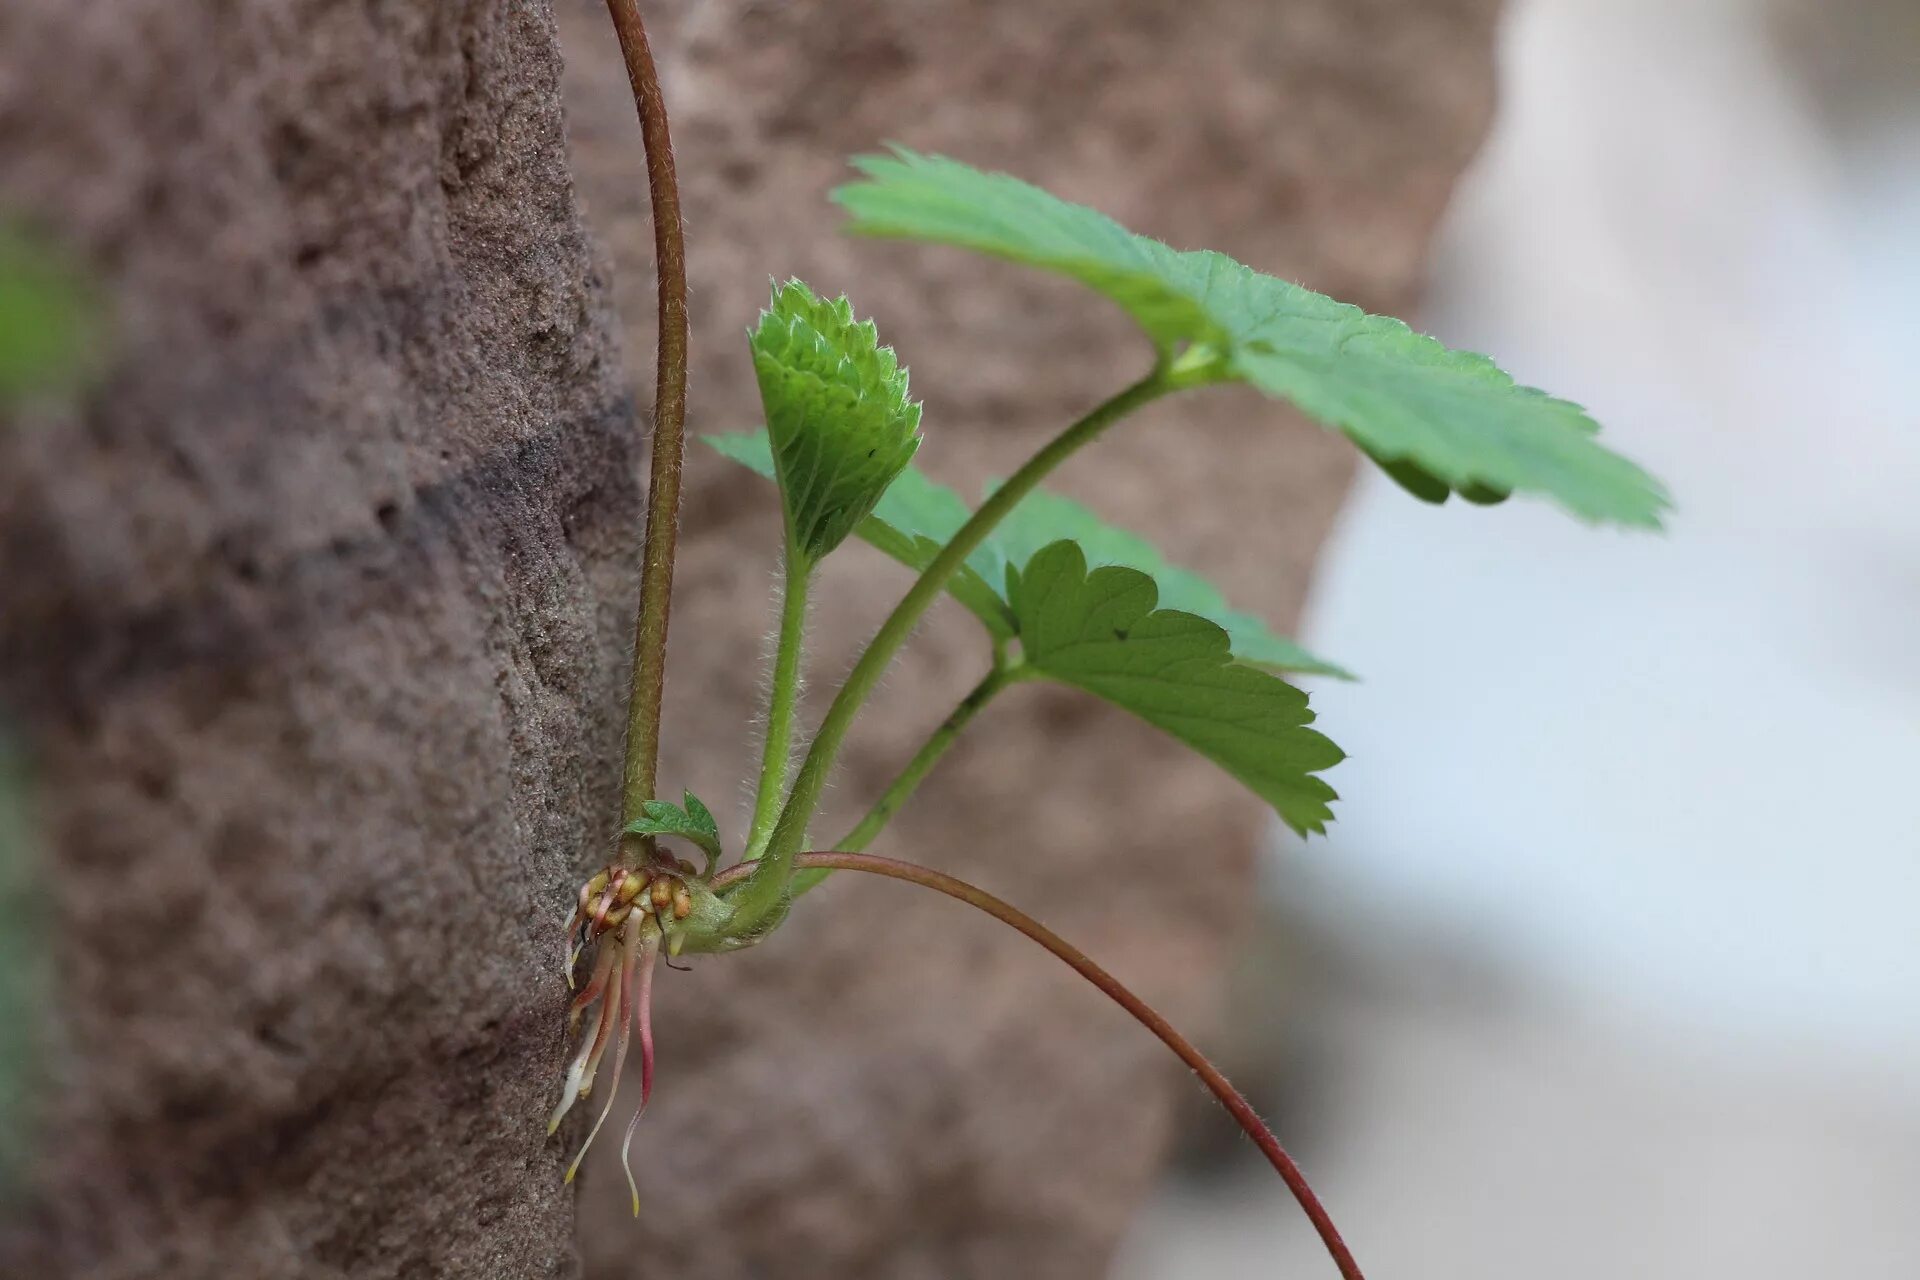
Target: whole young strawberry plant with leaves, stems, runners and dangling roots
x=1059 y=594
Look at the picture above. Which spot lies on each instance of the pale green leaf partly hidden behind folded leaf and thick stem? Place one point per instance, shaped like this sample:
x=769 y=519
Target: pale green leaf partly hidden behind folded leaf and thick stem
x=917 y=517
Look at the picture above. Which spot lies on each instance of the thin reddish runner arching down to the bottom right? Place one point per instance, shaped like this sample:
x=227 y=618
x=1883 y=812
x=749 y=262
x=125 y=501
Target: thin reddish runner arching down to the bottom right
x=1209 y=1074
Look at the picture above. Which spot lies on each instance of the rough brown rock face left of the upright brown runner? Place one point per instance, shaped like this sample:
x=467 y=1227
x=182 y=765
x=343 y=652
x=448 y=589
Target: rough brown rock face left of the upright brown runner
x=302 y=638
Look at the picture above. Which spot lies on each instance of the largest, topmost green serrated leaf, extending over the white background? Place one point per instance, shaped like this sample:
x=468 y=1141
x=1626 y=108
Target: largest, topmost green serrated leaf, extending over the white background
x=1441 y=419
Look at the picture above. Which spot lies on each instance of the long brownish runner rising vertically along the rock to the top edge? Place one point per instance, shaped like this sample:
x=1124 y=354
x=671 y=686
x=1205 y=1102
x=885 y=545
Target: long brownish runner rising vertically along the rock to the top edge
x=640 y=774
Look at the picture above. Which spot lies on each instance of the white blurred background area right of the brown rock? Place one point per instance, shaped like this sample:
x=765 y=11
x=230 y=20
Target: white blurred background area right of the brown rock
x=1616 y=949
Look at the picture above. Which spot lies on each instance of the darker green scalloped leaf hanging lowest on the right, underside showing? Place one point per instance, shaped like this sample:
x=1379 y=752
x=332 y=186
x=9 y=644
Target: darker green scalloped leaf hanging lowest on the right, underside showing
x=1101 y=632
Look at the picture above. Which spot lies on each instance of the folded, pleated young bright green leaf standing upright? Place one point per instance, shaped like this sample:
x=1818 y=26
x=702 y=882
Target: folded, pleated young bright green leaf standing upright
x=836 y=410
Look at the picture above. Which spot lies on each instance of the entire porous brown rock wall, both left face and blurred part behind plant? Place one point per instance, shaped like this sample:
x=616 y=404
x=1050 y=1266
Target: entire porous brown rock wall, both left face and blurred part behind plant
x=314 y=615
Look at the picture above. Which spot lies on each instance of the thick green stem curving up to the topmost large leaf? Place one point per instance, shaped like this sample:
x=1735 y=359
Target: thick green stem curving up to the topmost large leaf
x=769 y=886
